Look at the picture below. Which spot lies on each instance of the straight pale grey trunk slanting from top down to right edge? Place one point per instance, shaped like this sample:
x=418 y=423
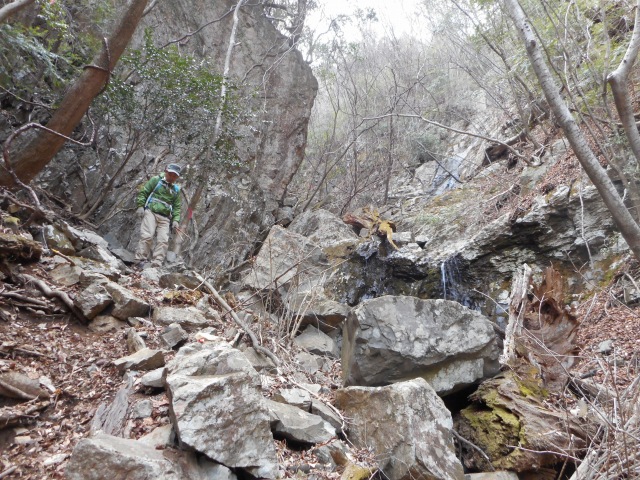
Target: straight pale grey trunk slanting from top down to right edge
x=621 y=216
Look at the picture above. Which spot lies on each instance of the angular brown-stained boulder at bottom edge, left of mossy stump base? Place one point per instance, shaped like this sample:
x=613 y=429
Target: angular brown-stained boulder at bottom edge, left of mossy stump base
x=407 y=426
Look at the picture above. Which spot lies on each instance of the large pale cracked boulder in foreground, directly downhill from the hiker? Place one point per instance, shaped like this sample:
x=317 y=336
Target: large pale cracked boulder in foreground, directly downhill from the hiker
x=216 y=401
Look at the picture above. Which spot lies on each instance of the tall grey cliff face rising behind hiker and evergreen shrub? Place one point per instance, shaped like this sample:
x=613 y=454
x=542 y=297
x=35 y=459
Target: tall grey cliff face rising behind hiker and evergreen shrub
x=236 y=209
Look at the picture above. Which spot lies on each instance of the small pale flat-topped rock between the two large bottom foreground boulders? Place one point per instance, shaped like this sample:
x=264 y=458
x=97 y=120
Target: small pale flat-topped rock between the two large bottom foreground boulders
x=297 y=425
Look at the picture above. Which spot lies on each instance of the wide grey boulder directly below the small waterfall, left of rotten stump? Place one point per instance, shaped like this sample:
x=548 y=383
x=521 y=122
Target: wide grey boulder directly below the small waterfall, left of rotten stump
x=391 y=338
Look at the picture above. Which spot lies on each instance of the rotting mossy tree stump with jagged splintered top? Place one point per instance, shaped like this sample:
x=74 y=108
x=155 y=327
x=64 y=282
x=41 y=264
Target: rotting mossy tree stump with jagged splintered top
x=509 y=418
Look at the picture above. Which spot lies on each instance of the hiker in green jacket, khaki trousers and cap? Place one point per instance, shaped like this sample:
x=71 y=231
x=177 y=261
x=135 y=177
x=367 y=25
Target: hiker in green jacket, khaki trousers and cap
x=159 y=207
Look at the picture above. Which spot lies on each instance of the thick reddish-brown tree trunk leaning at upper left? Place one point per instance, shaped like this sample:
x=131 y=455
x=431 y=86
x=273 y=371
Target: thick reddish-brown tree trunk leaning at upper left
x=41 y=148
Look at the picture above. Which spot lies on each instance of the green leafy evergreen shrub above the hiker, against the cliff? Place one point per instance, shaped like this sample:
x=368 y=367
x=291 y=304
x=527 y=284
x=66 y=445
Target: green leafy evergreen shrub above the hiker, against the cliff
x=164 y=97
